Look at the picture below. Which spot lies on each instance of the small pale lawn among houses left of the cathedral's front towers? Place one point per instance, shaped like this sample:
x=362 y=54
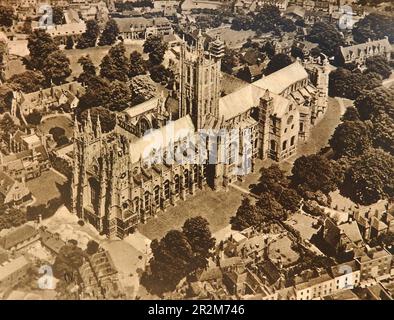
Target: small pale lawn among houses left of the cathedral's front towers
x=45 y=187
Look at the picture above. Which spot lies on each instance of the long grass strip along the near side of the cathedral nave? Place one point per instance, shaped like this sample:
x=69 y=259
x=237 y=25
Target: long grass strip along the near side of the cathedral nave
x=216 y=206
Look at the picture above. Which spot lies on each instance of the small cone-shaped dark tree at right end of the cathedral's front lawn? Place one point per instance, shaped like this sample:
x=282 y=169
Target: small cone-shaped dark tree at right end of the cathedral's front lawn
x=246 y=216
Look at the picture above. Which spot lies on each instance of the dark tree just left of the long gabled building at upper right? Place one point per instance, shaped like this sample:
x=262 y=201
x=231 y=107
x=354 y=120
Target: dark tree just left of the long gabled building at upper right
x=327 y=36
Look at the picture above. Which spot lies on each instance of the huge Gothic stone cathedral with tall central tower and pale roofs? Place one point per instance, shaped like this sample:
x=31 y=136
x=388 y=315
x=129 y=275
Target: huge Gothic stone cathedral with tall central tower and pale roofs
x=154 y=158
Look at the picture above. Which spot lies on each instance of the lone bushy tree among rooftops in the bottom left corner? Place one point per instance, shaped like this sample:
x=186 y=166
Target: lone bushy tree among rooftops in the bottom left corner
x=68 y=261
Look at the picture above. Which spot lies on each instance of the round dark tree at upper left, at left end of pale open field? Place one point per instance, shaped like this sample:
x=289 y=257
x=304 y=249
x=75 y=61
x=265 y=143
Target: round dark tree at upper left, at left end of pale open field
x=56 y=68
